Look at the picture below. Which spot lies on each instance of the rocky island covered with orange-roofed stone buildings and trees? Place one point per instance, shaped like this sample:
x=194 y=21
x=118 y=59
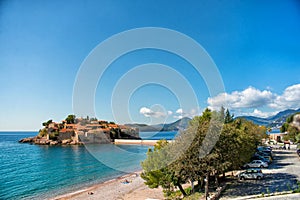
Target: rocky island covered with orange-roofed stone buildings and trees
x=76 y=131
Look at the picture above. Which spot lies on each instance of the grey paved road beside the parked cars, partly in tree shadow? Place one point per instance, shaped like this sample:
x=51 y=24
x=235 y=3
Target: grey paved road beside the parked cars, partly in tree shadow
x=281 y=176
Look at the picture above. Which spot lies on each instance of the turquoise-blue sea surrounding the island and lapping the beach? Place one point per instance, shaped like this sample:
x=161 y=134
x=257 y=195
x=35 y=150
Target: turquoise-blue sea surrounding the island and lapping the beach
x=41 y=172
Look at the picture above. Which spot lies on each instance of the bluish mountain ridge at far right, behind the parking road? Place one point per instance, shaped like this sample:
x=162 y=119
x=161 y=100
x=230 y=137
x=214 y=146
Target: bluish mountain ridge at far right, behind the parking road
x=275 y=121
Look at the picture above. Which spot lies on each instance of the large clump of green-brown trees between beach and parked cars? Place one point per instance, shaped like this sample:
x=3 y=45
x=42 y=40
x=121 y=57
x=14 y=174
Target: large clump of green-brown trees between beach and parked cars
x=206 y=150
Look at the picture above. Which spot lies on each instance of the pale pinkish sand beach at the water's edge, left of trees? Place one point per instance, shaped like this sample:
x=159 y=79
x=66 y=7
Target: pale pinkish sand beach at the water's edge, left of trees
x=130 y=186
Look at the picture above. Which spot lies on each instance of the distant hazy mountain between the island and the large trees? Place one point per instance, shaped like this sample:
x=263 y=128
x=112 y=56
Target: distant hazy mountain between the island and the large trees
x=177 y=125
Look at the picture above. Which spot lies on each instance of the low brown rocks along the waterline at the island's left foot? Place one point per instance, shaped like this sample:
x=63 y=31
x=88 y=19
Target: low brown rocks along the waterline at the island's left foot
x=42 y=141
